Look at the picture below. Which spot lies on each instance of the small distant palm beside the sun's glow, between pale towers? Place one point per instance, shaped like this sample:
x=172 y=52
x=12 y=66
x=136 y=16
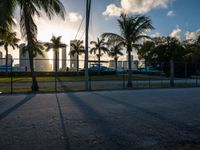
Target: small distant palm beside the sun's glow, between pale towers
x=55 y=45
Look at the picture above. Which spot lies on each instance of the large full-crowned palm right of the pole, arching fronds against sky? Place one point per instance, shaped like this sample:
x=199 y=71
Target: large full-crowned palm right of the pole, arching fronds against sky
x=132 y=31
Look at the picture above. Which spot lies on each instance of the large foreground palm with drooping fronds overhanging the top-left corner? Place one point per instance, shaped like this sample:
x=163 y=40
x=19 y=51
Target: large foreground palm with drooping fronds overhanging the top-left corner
x=29 y=9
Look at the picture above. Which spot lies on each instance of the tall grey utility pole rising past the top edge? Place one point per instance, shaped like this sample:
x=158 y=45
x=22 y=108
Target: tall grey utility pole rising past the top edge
x=88 y=7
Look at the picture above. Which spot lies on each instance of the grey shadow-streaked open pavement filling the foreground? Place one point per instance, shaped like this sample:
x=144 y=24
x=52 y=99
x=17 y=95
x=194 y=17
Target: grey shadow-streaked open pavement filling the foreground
x=110 y=120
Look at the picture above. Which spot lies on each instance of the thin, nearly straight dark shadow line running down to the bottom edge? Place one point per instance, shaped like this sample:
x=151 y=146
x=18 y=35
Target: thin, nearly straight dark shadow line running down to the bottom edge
x=66 y=138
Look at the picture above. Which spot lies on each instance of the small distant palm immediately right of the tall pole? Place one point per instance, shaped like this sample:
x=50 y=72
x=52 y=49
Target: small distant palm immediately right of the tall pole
x=99 y=46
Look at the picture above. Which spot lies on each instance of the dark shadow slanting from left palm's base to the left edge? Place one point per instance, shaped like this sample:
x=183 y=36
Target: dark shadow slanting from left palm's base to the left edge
x=16 y=106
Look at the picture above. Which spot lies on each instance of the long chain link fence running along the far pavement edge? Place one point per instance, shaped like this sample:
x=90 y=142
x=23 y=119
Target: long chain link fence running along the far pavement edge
x=15 y=75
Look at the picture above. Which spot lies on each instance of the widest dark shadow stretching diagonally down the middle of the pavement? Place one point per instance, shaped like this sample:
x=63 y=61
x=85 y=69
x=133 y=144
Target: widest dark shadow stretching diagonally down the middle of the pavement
x=115 y=138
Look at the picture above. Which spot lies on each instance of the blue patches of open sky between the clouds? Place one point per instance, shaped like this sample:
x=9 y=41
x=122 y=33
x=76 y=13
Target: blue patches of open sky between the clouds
x=185 y=16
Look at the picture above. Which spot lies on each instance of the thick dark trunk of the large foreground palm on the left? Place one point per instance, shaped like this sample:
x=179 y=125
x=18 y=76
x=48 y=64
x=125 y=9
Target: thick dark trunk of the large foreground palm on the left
x=30 y=43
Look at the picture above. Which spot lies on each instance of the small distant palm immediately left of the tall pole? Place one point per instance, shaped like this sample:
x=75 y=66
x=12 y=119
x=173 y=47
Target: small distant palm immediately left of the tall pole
x=77 y=49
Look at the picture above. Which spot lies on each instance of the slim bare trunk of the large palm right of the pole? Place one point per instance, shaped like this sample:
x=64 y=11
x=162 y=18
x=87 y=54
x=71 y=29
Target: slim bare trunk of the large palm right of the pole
x=129 y=49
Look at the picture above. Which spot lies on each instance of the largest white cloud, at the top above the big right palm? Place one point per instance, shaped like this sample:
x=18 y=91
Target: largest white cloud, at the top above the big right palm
x=136 y=6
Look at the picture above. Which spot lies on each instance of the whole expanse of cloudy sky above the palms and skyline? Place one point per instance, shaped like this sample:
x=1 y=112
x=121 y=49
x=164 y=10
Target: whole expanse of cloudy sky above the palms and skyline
x=178 y=18
